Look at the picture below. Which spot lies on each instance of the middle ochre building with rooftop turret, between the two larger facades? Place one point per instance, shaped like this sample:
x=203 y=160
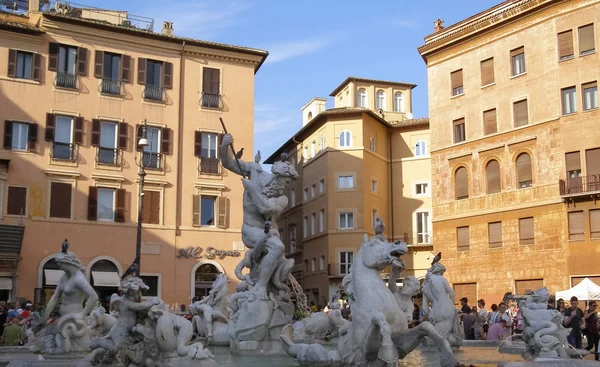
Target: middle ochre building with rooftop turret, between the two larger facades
x=365 y=158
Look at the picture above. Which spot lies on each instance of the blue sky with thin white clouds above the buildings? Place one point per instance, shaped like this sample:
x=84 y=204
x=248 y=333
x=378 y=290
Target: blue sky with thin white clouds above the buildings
x=313 y=46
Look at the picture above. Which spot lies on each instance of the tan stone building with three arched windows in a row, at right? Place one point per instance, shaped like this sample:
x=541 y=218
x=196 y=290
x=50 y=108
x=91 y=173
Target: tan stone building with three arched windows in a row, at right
x=515 y=146
